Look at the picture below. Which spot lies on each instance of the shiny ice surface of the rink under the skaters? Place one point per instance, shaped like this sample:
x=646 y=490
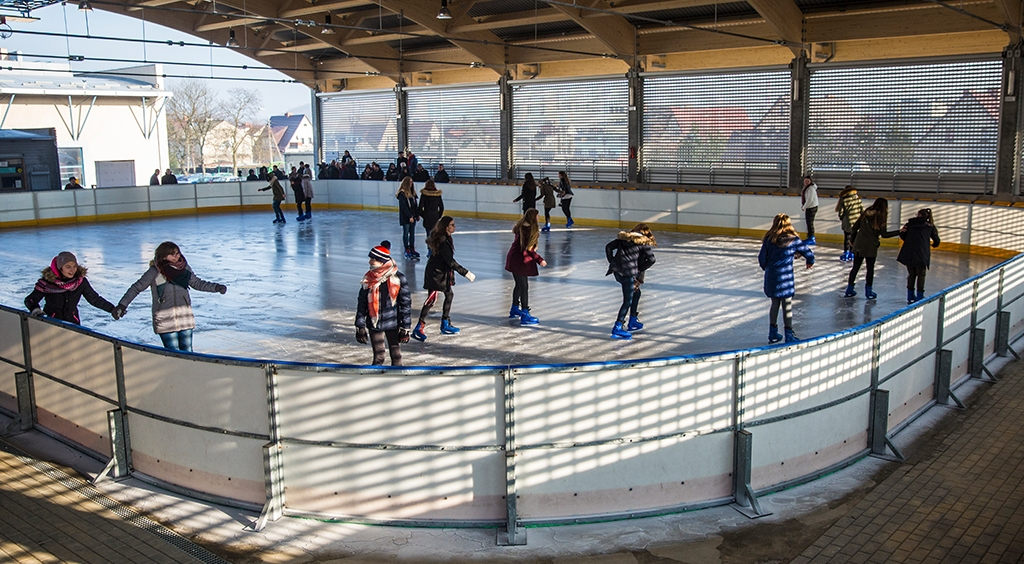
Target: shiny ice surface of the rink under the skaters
x=292 y=288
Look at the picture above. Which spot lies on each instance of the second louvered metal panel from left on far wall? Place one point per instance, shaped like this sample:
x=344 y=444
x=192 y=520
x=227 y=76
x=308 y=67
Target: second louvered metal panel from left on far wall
x=457 y=127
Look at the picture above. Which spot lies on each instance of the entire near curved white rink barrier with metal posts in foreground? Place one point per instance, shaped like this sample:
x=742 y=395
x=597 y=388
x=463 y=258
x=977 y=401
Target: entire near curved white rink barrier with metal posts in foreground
x=505 y=448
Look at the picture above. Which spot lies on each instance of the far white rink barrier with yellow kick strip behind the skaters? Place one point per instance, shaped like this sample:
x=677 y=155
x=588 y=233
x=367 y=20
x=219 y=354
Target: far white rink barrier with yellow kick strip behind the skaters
x=982 y=228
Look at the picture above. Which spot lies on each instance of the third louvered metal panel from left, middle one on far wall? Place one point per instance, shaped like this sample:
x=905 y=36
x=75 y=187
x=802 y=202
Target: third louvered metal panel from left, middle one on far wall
x=578 y=126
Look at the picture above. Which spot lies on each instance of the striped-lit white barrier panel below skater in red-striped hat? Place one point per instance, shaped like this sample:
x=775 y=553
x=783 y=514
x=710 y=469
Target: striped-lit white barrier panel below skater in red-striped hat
x=449 y=414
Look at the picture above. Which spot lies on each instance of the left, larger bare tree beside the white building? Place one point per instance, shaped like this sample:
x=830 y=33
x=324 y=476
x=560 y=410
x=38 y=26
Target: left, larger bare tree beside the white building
x=193 y=112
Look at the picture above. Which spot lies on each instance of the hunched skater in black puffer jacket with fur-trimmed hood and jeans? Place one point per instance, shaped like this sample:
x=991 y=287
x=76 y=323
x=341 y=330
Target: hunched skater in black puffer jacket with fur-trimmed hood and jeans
x=630 y=255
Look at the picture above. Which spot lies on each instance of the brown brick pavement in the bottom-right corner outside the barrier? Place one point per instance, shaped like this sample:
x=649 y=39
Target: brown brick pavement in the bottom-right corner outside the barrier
x=961 y=500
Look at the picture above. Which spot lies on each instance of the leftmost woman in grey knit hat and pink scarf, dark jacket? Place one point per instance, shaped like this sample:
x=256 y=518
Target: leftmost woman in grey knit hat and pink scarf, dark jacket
x=61 y=287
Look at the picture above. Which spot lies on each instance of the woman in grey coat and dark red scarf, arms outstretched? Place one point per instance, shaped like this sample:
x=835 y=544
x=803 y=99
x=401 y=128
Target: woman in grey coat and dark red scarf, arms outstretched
x=169 y=279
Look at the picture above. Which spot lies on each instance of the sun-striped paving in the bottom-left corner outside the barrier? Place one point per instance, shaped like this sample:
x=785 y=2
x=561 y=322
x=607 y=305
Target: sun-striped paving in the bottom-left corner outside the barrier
x=48 y=515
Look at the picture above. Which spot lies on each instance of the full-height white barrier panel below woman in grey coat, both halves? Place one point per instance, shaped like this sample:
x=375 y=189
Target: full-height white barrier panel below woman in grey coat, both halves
x=204 y=394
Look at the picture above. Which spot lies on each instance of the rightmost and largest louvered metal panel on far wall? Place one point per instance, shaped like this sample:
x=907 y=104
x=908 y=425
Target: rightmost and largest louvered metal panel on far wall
x=906 y=128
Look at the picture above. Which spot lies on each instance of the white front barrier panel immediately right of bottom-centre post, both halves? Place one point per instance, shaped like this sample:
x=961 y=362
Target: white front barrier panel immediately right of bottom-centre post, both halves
x=557 y=413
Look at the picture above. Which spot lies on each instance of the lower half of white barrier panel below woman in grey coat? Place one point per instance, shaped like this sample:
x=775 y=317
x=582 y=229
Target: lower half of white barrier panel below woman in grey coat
x=212 y=463
